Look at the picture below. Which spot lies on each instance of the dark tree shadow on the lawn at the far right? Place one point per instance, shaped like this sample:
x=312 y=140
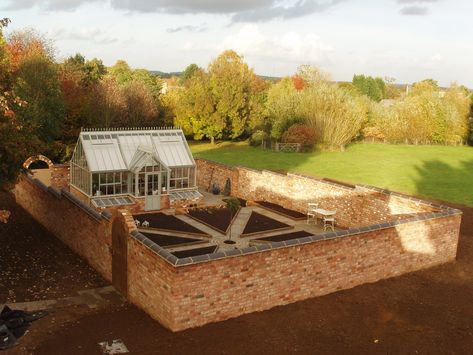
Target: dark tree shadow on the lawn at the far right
x=439 y=180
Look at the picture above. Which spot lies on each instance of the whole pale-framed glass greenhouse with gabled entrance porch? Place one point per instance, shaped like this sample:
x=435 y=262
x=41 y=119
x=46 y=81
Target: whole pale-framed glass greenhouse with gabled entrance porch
x=110 y=166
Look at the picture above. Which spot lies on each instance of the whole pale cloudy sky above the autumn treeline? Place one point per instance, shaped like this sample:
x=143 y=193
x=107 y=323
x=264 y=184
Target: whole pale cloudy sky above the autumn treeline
x=408 y=40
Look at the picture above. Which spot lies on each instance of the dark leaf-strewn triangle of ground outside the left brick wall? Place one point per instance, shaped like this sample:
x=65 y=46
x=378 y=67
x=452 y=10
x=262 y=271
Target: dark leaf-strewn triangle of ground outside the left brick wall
x=34 y=264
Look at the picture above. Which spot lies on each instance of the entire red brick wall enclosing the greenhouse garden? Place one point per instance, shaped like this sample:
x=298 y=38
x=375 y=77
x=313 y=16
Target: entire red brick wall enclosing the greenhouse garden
x=396 y=234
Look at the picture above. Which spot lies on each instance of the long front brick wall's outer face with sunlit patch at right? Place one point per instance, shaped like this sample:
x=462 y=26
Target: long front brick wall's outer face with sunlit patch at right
x=216 y=290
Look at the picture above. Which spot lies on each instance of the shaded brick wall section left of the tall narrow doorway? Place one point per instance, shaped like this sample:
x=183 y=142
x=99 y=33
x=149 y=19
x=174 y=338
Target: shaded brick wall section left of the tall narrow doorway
x=88 y=237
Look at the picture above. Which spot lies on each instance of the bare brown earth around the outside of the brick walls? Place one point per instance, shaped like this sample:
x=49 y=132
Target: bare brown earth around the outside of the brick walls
x=426 y=312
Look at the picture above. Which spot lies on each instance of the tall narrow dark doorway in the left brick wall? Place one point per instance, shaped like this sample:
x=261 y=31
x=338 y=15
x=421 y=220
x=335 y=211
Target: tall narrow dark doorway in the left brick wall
x=119 y=254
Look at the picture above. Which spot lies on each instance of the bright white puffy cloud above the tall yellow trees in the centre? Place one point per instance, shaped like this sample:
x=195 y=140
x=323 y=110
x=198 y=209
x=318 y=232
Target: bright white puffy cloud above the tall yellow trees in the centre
x=290 y=47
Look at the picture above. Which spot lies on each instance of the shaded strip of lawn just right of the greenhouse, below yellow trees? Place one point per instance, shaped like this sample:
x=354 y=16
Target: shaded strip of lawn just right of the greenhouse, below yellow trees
x=254 y=157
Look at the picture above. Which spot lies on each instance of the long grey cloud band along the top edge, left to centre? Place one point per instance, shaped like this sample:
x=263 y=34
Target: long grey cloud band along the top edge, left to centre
x=239 y=10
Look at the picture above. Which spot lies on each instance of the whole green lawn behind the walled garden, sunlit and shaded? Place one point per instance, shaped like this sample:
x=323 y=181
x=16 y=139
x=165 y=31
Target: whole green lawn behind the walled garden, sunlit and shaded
x=438 y=172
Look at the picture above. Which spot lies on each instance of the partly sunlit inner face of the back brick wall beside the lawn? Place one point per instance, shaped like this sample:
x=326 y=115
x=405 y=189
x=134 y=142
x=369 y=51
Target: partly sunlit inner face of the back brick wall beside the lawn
x=357 y=206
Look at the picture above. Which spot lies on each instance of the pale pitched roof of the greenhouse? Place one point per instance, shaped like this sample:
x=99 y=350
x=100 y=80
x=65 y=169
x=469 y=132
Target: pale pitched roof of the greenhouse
x=114 y=150
